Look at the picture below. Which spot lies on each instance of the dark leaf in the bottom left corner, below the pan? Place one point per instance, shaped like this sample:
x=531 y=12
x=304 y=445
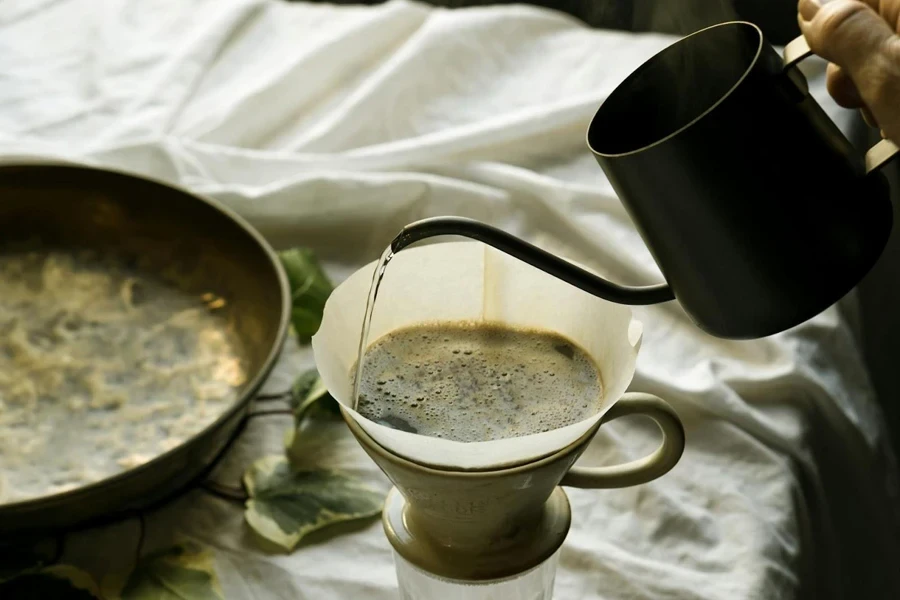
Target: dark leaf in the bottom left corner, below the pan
x=59 y=582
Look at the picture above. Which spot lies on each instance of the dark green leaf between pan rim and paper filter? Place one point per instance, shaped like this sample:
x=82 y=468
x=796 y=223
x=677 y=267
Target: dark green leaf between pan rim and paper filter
x=310 y=289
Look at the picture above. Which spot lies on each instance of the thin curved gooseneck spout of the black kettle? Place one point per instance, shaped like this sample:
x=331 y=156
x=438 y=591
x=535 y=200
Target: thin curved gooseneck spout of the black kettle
x=531 y=254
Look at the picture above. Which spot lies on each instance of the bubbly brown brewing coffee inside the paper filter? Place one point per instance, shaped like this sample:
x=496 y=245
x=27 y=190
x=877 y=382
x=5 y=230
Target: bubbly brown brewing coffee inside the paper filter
x=475 y=382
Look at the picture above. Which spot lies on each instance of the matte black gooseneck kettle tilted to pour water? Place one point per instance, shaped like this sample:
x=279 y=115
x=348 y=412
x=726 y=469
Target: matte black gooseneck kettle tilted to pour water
x=756 y=208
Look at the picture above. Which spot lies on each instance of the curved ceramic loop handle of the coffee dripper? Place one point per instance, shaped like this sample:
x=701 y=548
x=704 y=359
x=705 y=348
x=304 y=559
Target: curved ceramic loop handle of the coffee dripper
x=642 y=470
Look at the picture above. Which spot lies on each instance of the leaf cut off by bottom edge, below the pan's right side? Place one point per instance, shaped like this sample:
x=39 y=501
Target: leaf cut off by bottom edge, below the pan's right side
x=183 y=572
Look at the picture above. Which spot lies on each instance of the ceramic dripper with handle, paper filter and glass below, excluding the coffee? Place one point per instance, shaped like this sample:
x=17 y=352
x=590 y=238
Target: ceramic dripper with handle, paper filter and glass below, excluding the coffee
x=483 y=520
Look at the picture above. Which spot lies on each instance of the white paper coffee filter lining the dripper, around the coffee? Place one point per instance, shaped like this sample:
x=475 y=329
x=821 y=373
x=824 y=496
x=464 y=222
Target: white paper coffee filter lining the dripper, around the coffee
x=469 y=281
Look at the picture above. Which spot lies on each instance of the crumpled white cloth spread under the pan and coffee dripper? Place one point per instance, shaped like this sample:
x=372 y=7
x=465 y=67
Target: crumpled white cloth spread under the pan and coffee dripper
x=331 y=127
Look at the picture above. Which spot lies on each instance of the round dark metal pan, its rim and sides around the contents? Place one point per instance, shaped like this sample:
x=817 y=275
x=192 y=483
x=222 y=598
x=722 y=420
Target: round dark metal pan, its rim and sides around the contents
x=74 y=207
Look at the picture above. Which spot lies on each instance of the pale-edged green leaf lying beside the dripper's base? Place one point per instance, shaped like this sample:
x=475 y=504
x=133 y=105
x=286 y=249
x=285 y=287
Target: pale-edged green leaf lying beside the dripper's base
x=286 y=504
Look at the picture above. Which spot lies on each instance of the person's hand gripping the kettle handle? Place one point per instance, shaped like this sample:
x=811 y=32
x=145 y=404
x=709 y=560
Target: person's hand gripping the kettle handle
x=860 y=40
